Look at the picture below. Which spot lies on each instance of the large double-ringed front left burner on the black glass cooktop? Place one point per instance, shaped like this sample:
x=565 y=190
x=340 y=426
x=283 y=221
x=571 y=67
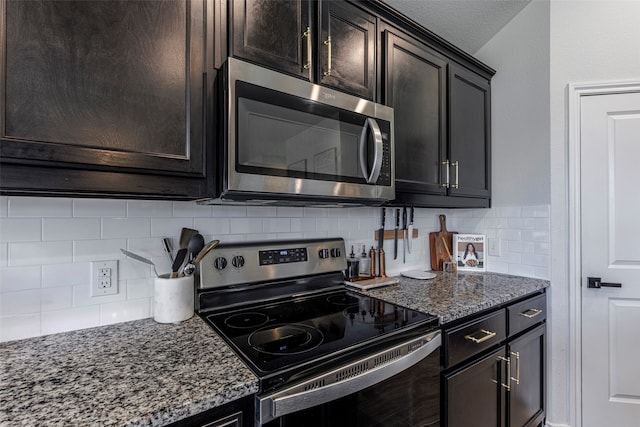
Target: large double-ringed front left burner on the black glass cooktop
x=286 y=339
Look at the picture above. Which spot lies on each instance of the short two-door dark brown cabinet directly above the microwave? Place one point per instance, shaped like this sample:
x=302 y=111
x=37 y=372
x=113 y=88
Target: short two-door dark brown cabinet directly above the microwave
x=332 y=43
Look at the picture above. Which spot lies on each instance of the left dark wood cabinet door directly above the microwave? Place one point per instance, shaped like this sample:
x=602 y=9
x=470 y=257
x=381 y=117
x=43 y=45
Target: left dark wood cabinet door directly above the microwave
x=272 y=33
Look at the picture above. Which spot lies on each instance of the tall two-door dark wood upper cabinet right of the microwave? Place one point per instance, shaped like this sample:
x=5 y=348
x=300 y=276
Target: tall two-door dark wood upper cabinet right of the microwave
x=442 y=126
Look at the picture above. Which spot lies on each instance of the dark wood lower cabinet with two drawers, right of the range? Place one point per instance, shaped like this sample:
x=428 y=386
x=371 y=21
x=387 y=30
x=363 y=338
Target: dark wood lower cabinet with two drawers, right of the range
x=494 y=374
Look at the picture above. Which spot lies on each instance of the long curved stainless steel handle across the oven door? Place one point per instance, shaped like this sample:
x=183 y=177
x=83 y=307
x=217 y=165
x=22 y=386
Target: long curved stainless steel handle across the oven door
x=347 y=379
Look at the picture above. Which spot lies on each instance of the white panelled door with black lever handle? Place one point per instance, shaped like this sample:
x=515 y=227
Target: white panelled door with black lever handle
x=610 y=249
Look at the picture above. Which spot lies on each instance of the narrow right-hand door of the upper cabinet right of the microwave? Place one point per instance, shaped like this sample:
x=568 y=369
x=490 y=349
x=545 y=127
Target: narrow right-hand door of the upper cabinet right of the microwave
x=469 y=133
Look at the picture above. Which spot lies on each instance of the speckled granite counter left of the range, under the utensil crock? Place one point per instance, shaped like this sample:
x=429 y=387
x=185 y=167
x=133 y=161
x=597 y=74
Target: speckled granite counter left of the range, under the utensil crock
x=138 y=373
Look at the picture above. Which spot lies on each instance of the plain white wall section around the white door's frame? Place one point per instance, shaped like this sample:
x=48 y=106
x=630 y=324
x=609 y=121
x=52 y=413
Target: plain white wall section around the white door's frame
x=591 y=41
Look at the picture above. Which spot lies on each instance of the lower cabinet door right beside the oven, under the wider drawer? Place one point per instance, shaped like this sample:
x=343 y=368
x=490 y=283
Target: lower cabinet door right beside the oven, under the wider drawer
x=474 y=395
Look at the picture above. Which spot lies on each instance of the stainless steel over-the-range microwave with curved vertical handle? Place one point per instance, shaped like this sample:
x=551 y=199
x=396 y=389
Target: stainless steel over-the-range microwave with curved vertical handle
x=288 y=141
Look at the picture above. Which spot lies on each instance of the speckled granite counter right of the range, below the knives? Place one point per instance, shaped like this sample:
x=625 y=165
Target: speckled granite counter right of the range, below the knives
x=452 y=296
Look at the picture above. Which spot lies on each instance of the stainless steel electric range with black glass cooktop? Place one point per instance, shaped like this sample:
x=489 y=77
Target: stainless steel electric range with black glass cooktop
x=324 y=355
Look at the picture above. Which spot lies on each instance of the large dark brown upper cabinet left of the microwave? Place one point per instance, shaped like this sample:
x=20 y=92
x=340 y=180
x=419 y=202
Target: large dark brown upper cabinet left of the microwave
x=106 y=97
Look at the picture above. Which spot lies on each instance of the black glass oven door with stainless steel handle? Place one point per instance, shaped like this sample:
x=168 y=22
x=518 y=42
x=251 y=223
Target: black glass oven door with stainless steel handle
x=397 y=387
